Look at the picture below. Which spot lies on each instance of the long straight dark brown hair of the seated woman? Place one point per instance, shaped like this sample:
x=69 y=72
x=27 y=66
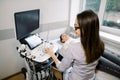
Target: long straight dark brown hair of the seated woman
x=89 y=27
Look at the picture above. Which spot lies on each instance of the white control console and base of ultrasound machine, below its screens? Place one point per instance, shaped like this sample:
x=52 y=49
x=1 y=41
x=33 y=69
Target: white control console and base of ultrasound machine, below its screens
x=38 y=63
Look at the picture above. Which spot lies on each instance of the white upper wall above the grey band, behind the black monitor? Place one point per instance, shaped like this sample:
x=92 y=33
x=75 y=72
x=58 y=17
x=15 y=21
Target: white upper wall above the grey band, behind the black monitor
x=51 y=11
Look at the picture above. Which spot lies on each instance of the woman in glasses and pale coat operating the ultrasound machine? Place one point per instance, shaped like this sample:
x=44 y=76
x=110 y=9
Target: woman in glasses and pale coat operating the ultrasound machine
x=83 y=56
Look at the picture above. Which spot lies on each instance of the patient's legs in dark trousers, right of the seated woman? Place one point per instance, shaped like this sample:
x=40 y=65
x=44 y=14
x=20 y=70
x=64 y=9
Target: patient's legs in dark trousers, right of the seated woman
x=109 y=63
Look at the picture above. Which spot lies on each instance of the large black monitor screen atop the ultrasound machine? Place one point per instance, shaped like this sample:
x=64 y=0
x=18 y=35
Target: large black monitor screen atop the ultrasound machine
x=26 y=22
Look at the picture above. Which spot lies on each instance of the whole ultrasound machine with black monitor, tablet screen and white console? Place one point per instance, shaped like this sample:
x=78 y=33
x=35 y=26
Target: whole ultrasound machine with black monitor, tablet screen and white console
x=32 y=47
